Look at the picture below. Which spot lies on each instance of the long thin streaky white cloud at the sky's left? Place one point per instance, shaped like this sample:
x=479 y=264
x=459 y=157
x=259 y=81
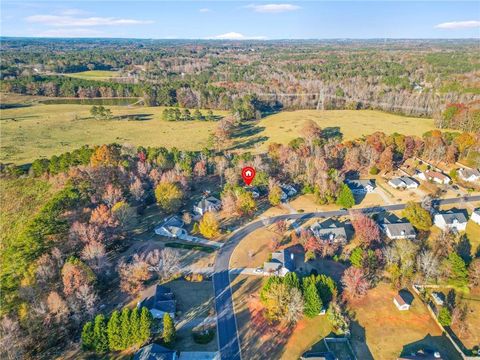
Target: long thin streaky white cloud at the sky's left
x=70 y=21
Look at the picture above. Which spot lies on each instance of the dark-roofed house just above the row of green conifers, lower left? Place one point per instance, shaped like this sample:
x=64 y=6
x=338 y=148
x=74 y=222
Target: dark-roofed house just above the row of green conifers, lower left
x=159 y=300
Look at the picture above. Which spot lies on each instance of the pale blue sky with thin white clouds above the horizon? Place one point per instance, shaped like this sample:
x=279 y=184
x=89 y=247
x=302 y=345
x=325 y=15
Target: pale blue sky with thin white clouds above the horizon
x=241 y=20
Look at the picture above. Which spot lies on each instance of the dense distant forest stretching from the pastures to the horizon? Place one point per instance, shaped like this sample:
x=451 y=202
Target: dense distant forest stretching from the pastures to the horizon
x=414 y=77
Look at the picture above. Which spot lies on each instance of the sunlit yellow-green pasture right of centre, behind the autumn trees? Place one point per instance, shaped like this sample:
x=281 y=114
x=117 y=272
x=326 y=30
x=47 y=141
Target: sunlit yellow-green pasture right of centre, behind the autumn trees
x=286 y=125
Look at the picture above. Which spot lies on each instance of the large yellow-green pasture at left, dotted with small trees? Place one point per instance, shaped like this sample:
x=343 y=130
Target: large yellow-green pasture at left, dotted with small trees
x=45 y=130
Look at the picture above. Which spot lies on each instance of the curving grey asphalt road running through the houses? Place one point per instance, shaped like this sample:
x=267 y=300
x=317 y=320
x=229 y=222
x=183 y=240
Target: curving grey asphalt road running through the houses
x=229 y=345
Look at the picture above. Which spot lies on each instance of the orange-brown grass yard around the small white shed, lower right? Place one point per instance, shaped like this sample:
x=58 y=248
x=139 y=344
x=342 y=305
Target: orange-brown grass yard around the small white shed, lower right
x=389 y=331
